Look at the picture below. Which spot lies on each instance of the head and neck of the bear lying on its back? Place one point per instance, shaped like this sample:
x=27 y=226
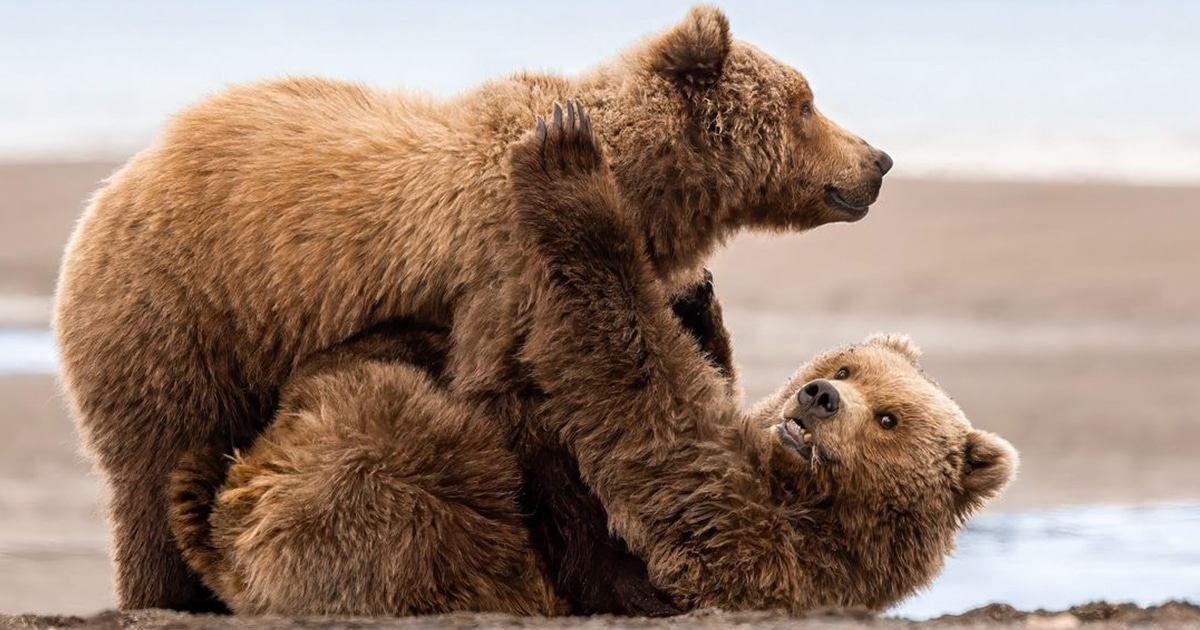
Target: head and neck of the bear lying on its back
x=887 y=466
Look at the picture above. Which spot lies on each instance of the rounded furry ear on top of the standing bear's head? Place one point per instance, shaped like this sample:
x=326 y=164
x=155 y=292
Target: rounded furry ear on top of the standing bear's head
x=693 y=53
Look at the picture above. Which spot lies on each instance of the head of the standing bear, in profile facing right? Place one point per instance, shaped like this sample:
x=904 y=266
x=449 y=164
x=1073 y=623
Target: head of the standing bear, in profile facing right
x=711 y=135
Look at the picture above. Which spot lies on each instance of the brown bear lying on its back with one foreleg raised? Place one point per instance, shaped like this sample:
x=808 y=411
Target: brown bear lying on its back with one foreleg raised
x=374 y=495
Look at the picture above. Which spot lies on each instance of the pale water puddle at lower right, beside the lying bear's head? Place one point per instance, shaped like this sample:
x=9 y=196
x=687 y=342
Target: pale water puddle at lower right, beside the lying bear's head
x=1059 y=559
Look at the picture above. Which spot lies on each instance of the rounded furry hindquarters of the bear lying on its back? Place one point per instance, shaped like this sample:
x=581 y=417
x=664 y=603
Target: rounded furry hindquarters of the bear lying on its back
x=374 y=493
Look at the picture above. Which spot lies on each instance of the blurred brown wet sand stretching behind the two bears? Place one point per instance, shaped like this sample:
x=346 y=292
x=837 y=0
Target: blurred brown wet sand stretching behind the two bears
x=1065 y=317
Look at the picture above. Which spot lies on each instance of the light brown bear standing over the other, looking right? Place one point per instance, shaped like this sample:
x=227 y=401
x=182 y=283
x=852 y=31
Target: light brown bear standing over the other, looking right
x=279 y=219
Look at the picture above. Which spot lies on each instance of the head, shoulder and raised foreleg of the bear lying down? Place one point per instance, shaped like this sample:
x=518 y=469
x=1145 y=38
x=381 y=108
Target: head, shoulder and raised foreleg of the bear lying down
x=731 y=509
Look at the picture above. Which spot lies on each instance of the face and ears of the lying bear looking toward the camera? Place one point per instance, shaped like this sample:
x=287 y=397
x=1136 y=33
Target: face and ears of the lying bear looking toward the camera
x=869 y=422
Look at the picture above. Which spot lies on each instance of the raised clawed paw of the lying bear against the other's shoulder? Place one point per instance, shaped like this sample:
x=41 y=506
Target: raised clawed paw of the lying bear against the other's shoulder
x=562 y=148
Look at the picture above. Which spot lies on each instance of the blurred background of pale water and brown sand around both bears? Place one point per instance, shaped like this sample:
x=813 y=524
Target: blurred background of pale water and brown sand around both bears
x=1040 y=238
